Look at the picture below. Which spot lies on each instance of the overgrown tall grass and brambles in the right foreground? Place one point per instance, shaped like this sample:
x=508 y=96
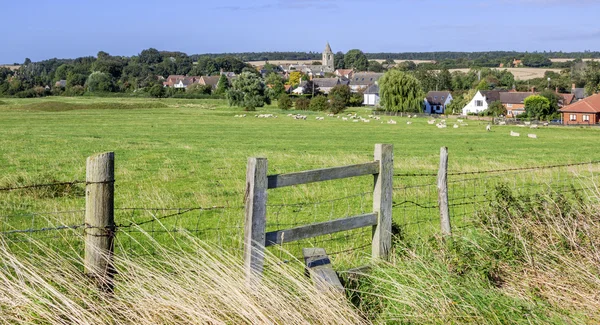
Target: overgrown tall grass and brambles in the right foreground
x=530 y=260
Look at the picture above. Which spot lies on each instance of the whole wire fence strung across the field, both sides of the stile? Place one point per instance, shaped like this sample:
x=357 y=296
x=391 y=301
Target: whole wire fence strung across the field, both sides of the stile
x=141 y=230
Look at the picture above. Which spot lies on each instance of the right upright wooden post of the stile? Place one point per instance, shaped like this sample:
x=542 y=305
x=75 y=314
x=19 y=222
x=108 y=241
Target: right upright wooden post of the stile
x=382 y=201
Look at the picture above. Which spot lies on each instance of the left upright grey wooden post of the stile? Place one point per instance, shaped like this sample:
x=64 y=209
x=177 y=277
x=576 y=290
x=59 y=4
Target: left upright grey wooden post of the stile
x=256 y=216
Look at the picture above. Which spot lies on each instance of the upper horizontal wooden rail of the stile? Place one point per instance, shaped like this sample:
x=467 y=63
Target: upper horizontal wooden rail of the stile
x=320 y=175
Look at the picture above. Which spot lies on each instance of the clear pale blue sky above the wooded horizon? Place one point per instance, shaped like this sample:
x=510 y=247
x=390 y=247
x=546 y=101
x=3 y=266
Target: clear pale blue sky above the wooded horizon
x=42 y=29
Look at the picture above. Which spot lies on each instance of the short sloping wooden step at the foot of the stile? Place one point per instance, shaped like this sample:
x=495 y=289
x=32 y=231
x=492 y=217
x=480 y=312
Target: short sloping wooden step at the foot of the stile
x=321 y=272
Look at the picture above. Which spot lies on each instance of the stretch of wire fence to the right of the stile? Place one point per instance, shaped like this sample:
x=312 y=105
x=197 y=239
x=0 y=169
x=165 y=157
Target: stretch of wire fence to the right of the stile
x=471 y=194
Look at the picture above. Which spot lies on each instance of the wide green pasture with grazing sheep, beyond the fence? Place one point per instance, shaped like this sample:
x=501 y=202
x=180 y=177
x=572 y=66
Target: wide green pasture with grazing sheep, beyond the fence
x=173 y=155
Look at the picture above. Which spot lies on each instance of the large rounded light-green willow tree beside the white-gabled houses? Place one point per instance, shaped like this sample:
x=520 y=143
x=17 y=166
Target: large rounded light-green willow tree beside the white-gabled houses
x=400 y=92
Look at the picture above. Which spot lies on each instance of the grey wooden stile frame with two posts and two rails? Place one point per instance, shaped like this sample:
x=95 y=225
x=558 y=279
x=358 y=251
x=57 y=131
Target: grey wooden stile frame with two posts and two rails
x=258 y=182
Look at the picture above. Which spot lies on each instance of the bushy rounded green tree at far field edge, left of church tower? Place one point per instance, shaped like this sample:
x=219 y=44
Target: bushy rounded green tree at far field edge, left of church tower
x=247 y=91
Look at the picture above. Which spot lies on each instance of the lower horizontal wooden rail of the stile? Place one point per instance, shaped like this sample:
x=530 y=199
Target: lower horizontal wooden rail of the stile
x=319 y=229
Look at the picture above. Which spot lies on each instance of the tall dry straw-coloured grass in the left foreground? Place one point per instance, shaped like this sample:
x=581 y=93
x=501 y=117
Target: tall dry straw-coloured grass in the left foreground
x=204 y=286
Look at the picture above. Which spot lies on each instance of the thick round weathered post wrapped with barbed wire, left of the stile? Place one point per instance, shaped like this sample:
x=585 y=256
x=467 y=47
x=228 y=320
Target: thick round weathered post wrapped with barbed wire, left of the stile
x=99 y=219
